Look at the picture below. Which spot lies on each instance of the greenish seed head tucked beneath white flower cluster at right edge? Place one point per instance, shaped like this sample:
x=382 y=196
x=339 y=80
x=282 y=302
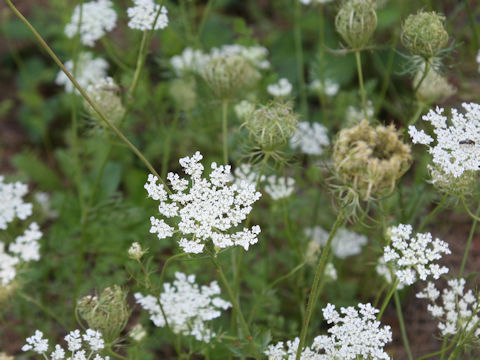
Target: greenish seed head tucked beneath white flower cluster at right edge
x=464 y=185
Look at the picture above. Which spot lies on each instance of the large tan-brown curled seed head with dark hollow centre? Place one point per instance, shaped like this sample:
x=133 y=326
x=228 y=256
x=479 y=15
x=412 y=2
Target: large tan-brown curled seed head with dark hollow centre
x=370 y=160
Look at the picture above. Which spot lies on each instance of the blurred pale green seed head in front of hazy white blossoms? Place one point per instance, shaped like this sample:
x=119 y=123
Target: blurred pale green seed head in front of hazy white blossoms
x=229 y=75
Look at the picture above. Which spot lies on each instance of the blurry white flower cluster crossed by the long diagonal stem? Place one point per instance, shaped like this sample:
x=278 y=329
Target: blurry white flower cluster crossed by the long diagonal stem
x=87 y=71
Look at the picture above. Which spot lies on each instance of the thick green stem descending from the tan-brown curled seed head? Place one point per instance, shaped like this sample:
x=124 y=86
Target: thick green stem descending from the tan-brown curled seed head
x=314 y=293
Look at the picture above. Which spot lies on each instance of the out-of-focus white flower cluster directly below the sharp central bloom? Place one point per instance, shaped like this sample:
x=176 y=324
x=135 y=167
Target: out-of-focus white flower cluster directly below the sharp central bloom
x=187 y=306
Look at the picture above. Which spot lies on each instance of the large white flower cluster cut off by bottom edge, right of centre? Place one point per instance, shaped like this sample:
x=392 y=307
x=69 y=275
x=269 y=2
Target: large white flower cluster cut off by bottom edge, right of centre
x=356 y=334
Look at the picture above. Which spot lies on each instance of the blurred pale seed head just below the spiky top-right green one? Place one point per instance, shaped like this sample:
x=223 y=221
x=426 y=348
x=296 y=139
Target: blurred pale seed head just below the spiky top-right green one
x=434 y=88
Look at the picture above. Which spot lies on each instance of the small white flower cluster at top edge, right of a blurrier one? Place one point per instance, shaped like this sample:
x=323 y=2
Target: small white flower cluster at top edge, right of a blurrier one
x=144 y=13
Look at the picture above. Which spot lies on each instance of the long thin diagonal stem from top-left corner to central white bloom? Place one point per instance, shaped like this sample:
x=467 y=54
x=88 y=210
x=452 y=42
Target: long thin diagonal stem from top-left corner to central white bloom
x=83 y=93
